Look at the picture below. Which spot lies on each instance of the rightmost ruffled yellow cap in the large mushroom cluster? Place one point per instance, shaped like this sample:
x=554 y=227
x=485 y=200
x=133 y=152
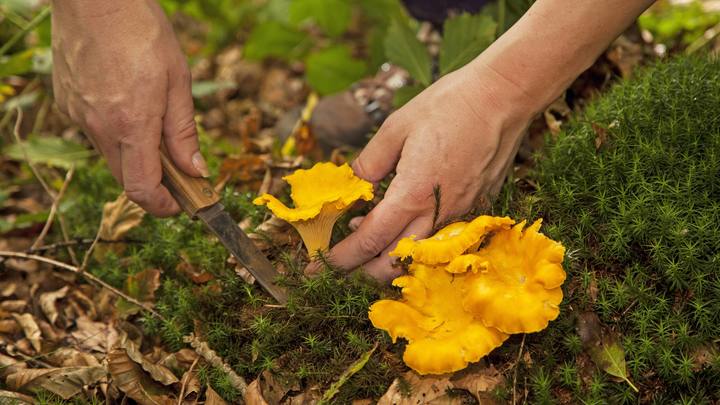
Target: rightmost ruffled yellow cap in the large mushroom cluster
x=520 y=291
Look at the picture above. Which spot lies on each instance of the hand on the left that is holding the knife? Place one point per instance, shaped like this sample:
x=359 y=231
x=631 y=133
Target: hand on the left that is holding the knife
x=120 y=74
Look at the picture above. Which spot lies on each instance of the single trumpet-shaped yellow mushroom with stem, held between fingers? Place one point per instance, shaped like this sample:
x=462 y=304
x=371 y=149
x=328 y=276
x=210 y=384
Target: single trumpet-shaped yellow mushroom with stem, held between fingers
x=320 y=195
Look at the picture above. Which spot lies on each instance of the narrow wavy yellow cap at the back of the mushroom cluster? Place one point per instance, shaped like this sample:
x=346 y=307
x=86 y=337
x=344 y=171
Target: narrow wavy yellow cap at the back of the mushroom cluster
x=451 y=241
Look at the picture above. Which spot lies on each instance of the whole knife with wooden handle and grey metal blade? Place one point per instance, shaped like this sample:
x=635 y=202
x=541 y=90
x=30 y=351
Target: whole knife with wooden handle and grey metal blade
x=198 y=199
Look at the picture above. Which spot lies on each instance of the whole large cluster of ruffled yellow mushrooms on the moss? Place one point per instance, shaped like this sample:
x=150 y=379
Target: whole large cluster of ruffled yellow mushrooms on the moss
x=461 y=300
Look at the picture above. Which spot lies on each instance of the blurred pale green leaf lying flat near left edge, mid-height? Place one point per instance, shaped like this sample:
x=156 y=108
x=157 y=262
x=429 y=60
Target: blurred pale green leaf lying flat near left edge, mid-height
x=51 y=151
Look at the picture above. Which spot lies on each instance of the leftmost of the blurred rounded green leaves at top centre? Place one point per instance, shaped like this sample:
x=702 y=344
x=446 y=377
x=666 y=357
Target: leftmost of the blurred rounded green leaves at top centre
x=272 y=38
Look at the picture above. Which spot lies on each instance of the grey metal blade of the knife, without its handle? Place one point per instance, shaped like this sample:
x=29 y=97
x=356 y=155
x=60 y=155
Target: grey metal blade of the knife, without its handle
x=240 y=245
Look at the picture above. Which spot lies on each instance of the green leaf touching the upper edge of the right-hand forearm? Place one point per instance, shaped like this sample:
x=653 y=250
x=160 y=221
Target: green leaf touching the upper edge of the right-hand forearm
x=464 y=37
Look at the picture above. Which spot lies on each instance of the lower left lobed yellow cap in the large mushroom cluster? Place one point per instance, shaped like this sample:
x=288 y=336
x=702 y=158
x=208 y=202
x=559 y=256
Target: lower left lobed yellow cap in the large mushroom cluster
x=442 y=336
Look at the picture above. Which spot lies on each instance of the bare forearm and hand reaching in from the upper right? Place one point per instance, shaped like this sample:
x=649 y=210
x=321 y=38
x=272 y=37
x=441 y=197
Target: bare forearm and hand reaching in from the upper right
x=462 y=133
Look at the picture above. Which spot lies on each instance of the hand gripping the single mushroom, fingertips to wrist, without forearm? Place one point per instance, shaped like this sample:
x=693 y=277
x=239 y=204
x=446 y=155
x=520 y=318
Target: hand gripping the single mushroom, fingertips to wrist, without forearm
x=460 y=135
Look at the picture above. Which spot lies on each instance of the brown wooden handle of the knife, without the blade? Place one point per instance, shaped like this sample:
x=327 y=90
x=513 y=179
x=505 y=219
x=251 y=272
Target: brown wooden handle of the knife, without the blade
x=191 y=193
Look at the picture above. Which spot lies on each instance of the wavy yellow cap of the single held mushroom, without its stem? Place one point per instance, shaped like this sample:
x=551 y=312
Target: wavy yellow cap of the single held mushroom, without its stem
x=325 y=184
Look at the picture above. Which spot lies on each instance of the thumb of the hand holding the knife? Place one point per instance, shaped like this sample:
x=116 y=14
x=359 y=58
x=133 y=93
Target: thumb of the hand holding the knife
x=179 y=130
